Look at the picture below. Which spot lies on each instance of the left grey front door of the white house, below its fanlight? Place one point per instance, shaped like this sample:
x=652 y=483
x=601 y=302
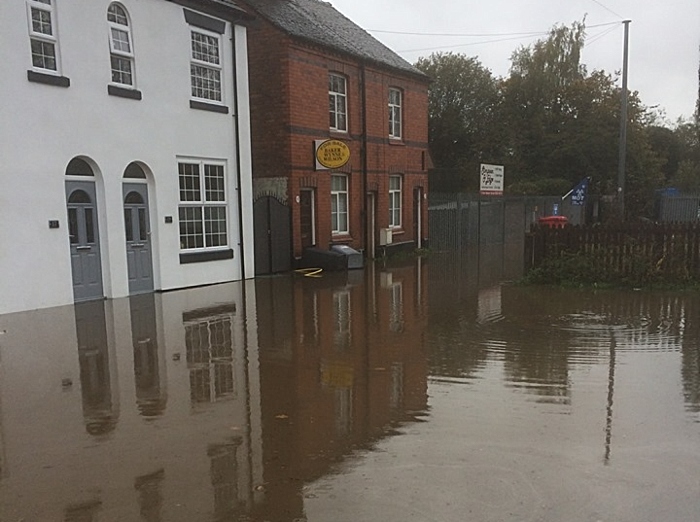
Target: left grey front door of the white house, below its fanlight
x=84 y=238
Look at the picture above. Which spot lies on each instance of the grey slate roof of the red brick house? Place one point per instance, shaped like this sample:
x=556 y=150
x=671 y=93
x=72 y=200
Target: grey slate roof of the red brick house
x=320 y=23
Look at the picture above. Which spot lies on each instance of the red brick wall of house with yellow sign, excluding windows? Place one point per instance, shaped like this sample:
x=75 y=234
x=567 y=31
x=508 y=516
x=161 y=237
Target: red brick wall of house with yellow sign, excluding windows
x=289 y=105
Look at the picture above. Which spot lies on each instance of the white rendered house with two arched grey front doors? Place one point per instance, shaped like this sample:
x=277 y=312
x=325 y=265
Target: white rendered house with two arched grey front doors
x=124 y=148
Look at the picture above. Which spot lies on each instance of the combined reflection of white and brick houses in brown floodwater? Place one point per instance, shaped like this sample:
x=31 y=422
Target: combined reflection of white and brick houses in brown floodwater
x=206 y=404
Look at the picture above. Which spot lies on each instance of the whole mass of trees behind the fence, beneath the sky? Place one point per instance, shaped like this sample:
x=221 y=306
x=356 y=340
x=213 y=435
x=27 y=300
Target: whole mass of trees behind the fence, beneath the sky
x=551 y=123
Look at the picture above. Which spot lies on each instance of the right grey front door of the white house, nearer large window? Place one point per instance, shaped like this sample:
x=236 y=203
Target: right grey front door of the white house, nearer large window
x=138 y=238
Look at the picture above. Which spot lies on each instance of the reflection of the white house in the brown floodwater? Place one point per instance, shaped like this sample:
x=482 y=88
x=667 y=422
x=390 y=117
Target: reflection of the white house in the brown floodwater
x=140 y=409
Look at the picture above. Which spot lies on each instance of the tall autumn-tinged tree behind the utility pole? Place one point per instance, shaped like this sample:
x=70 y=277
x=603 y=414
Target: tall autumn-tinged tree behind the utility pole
x=564 y=123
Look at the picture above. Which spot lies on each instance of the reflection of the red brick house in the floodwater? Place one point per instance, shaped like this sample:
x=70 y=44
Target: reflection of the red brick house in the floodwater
x=347 y=369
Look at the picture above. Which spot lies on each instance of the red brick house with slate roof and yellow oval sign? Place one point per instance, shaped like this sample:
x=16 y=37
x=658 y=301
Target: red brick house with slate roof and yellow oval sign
x=316 y=76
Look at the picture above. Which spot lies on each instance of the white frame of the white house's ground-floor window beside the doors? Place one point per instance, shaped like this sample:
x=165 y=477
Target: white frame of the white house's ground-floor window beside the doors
x=212 y=238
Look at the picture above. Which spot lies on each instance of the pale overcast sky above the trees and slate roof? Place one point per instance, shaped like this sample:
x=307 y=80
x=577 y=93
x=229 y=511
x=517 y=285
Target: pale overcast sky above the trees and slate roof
x=664 y=36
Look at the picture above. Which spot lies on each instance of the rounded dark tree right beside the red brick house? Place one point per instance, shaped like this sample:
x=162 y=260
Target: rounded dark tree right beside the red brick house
x=462 y=105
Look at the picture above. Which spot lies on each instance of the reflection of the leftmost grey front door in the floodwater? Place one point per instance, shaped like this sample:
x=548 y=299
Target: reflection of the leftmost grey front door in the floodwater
x=99 y=409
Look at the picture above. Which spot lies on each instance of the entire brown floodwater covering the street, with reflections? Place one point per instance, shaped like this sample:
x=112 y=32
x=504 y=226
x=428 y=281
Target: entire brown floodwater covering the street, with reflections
x=421 y=392
